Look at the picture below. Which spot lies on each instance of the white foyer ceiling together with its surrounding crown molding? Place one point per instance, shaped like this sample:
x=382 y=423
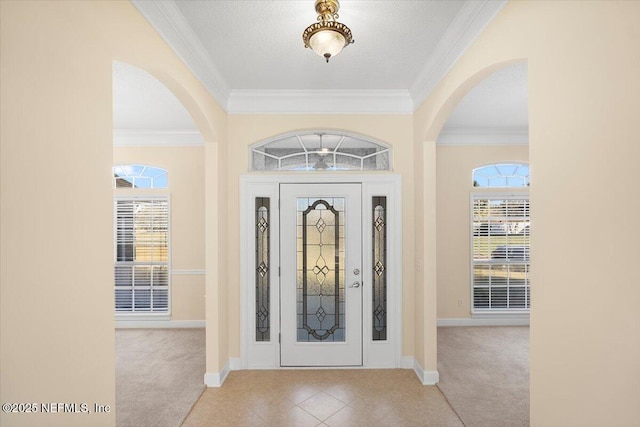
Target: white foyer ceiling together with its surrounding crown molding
x=251 y=58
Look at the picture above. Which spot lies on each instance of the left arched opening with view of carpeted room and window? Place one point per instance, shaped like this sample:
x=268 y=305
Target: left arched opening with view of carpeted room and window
x=159 y=228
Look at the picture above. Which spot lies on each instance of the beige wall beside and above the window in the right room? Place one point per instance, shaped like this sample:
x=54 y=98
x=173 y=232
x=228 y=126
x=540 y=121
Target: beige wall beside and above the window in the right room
x=454 y=187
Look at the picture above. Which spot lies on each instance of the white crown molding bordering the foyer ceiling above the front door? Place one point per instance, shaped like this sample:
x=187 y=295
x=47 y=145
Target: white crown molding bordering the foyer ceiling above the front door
x=167 y=19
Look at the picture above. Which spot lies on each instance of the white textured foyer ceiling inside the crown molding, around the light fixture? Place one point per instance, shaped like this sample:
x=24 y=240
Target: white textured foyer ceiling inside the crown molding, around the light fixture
x=257 y=45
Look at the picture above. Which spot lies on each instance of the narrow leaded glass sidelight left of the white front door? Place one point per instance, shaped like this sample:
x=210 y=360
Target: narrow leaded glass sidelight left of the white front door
x=263 y=317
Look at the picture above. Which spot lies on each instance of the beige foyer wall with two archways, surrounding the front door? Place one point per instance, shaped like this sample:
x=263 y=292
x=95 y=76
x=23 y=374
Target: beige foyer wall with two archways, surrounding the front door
x=584 y=97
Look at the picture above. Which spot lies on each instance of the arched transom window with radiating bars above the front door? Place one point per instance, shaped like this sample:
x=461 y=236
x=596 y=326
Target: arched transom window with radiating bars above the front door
x=320 y=150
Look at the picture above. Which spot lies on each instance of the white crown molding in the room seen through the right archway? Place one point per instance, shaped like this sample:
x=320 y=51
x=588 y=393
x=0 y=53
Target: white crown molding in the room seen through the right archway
x=484 y=136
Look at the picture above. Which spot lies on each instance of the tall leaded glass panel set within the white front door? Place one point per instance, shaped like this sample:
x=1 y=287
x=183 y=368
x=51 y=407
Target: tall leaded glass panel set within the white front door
x=320 y=270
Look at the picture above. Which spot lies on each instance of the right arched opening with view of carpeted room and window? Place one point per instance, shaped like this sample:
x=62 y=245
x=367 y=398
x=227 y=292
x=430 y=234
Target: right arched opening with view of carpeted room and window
x=482 y=242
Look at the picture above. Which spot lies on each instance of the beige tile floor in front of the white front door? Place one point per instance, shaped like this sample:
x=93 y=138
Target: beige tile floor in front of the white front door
x=334 y=398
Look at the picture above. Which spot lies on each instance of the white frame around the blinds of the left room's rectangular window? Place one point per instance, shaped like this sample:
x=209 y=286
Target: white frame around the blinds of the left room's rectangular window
x=131 y=194
